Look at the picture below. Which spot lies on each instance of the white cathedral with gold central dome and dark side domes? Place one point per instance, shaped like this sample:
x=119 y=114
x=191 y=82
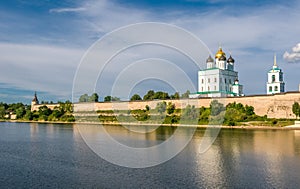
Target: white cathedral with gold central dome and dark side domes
x=219 y=78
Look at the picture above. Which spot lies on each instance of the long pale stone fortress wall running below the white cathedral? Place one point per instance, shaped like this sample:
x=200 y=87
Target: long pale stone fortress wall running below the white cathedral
x=274 y=106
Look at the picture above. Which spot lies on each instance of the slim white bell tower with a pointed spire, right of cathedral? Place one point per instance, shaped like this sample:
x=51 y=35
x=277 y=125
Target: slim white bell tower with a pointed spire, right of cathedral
x=275 y=82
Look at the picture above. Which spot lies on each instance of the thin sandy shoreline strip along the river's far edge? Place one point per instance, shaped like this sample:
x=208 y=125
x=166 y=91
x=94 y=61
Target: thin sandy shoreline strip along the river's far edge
x=291 y=127
